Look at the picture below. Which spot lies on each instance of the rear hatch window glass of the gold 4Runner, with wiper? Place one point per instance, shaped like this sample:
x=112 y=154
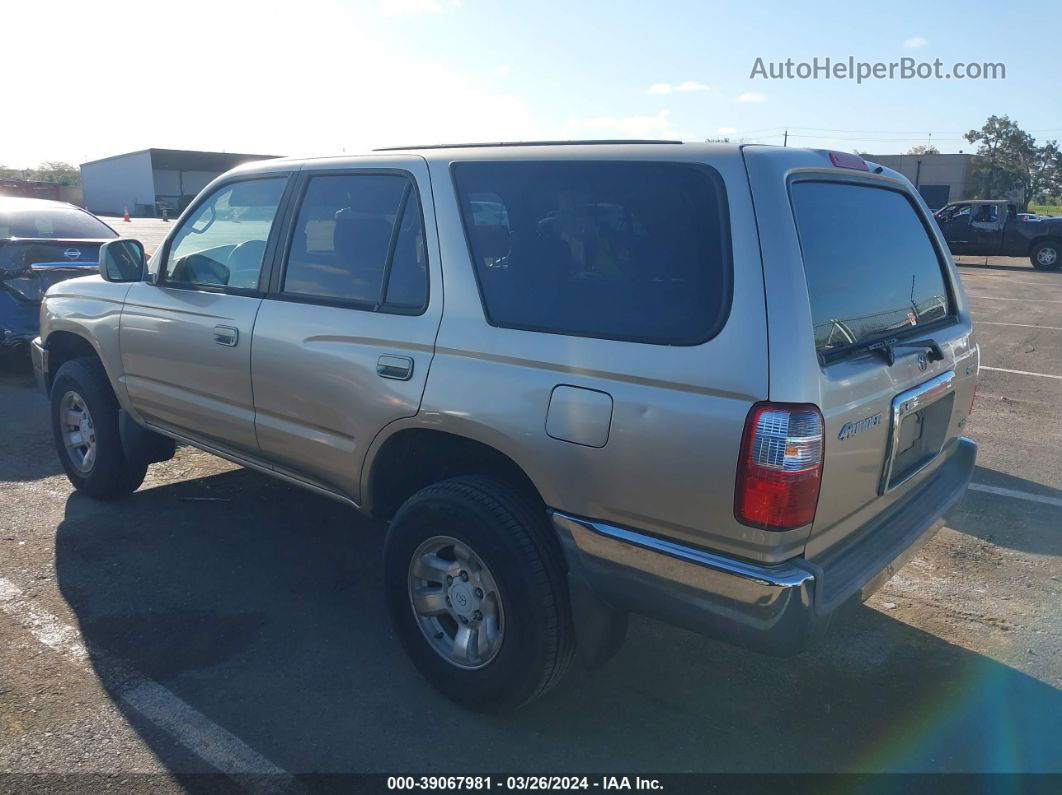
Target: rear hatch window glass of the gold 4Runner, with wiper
x=871 y=267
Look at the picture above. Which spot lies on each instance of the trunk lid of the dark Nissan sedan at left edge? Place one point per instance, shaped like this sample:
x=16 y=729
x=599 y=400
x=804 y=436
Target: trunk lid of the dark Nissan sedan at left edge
x=29 y=267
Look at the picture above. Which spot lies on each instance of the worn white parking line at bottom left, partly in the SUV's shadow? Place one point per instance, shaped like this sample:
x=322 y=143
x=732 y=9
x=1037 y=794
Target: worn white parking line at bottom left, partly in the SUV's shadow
x=214 y=745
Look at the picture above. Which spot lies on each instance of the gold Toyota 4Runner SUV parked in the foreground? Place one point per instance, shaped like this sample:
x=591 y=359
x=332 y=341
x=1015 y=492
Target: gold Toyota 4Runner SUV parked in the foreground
x=574 y=381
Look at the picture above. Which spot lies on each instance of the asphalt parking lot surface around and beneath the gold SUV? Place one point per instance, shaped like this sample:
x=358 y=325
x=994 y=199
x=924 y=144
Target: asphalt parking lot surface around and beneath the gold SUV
x=248 y=633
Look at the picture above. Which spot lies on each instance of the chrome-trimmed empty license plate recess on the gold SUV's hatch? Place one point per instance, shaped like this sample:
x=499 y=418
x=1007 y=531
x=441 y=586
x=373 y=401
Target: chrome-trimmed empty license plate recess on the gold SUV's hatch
x=921 y=419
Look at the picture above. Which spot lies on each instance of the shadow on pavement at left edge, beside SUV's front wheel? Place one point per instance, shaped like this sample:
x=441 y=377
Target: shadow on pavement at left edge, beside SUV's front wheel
x=27 y=453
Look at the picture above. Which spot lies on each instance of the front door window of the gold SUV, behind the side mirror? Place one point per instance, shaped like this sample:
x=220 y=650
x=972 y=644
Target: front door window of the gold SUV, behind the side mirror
x=224 y=243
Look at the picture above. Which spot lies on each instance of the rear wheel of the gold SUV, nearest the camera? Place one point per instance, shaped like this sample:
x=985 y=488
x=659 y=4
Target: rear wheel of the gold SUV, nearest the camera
x=477 y=593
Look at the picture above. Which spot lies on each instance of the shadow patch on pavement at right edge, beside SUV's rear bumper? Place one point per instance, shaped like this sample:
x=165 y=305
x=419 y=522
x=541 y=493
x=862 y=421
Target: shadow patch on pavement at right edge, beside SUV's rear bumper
x=1010 y=522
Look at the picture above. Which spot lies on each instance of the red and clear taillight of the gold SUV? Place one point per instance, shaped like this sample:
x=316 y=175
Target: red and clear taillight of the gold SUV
x=781 y=466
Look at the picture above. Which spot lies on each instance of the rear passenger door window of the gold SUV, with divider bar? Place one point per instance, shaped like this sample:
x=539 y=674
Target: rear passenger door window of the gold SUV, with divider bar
x=359 y=238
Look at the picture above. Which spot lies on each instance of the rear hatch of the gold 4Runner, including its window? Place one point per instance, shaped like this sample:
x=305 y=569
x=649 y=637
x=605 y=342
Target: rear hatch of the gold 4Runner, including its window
x=867 y=321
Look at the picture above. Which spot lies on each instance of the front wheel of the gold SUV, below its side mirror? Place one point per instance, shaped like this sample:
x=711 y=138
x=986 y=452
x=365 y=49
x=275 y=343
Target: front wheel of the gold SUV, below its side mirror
x=84 y=413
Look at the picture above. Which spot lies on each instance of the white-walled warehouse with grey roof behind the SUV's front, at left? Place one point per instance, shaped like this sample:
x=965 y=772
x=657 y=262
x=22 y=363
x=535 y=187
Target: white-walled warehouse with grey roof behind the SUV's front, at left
x=146 y=182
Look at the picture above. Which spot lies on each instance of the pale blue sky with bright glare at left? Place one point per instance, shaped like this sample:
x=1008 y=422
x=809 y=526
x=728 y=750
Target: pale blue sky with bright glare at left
x=330 y=77
